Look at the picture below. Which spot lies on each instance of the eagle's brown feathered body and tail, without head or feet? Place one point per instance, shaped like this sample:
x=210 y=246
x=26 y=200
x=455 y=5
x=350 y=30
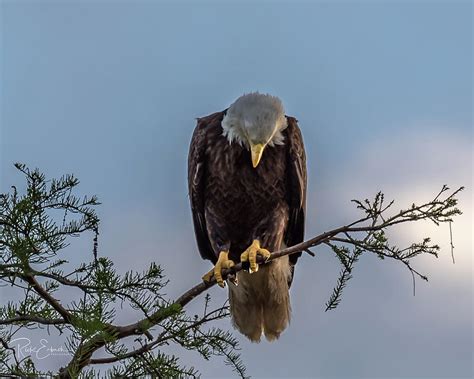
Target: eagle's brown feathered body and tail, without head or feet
x=234 y=203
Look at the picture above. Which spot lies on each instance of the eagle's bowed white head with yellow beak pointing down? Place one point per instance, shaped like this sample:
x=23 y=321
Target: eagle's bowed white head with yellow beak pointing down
x=255 y=121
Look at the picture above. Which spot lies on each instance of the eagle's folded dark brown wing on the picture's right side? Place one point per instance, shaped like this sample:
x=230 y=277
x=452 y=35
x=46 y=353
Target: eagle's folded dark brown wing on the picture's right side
x=296 y=179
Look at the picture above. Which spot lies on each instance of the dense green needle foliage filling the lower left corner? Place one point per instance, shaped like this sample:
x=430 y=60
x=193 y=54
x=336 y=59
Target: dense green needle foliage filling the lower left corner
x=35 y=228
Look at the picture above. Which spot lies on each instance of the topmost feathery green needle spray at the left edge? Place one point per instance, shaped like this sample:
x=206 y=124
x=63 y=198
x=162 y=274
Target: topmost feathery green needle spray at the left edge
x=31 y=233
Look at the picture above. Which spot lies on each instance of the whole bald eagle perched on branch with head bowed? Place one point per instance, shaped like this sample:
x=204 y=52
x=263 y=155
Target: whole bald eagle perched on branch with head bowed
x=247 y=187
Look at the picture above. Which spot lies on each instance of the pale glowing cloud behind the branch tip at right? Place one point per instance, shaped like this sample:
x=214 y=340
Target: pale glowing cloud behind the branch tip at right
x=412 y=166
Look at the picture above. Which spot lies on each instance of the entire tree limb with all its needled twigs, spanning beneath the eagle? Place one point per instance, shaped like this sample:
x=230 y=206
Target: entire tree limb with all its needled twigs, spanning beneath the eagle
x=33 y=237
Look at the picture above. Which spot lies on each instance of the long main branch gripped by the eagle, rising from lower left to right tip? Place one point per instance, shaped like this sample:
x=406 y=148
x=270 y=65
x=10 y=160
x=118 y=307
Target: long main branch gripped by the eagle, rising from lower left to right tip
x=437 y=211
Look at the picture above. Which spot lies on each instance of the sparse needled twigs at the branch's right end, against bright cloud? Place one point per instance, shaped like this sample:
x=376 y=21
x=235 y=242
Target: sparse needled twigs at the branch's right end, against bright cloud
x=372 y=237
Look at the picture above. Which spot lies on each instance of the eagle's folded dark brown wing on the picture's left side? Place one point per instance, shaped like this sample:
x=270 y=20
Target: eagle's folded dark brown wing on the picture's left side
x=197 y=185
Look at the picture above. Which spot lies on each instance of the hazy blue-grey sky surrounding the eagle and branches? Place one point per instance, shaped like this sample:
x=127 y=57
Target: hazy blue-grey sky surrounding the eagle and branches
x=109 y=91
